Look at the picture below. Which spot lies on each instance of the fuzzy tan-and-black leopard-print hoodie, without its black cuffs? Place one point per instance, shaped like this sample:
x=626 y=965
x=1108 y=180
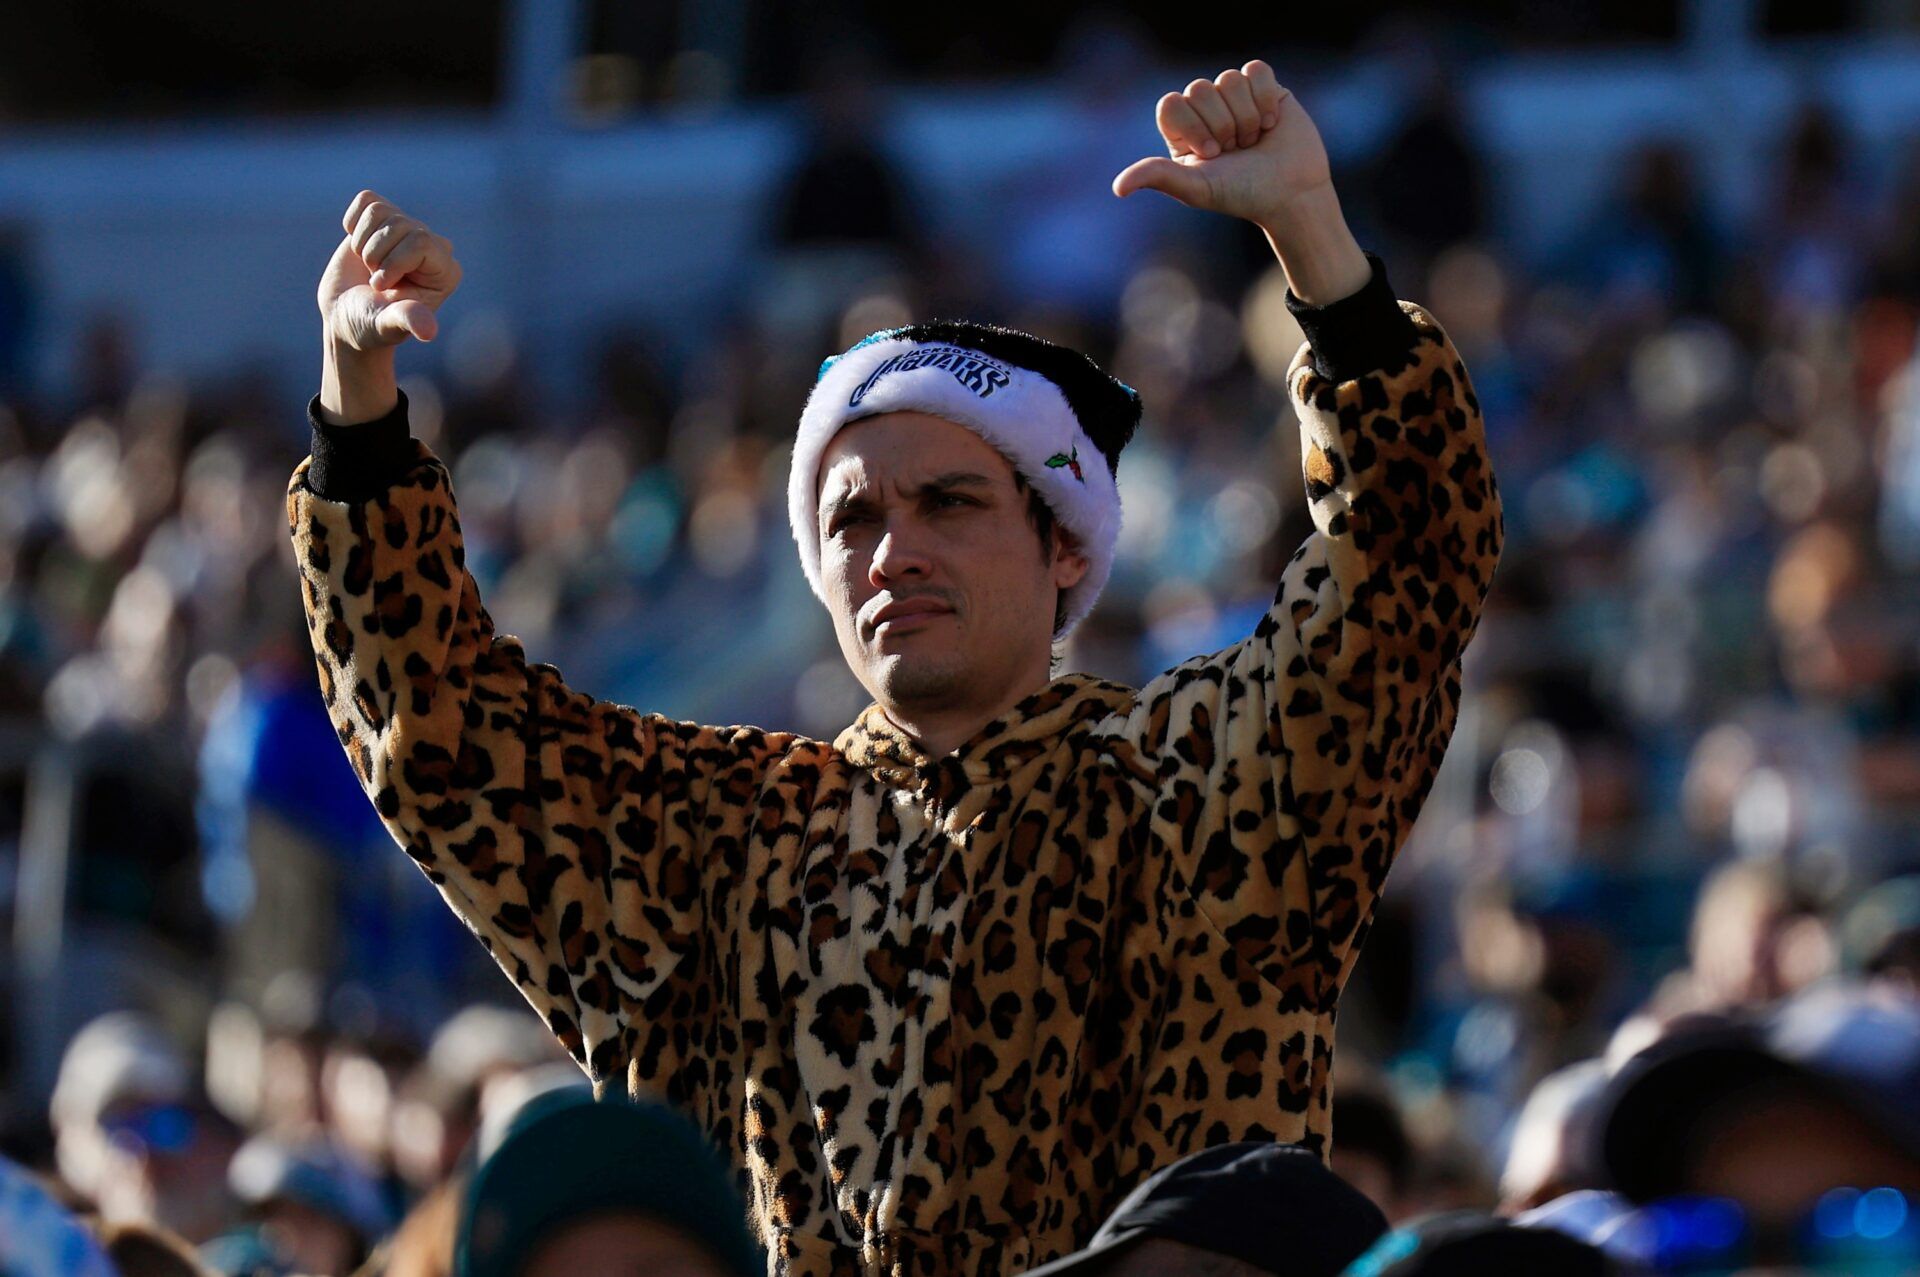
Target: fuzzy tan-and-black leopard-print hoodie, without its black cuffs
x=946 y=1013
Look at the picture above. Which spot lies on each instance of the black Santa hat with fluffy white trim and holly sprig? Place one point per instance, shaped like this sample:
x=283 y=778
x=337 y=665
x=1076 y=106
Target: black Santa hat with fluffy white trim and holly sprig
x=1051 y=412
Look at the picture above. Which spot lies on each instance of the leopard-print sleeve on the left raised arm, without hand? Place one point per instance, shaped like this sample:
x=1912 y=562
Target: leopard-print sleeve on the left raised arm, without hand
x=583 y=842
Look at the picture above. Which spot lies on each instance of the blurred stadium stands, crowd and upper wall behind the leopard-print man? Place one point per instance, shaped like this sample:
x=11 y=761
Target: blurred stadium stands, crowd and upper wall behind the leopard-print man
x=1679 y=247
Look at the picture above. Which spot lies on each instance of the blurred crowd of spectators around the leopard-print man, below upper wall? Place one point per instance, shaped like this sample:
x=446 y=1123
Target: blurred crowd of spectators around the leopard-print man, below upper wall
x=1646 y=976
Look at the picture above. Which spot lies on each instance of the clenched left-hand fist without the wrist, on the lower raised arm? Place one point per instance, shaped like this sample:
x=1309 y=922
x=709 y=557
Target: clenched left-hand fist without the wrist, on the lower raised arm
x=387 y=279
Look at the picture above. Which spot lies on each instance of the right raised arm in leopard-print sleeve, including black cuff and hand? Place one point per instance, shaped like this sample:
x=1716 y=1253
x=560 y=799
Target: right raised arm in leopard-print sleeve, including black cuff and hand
x=1291 y=767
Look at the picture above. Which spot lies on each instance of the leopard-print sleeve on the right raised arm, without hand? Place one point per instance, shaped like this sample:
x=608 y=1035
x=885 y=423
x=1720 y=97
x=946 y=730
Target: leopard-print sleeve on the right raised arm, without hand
x=1289 y=769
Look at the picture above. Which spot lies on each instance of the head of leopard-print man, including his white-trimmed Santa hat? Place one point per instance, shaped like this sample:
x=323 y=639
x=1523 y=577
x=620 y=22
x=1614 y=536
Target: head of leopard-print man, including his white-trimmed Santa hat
x=955 y=506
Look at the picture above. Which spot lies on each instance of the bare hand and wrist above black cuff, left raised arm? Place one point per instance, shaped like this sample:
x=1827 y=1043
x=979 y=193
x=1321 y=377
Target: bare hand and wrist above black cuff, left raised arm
x=385 y=285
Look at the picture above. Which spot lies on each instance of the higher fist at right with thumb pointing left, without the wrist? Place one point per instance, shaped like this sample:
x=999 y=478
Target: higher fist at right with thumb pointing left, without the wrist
x=1236 y=145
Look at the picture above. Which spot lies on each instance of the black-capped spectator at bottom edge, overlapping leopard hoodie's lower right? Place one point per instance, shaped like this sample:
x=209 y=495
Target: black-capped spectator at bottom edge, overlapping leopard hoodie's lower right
x=1232 y=1211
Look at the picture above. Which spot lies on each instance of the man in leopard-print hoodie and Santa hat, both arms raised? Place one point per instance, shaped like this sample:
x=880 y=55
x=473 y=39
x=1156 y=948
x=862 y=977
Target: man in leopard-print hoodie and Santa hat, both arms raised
x=955 y=982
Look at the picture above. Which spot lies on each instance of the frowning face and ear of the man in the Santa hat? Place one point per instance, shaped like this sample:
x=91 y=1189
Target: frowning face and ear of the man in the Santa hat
x=940 y=592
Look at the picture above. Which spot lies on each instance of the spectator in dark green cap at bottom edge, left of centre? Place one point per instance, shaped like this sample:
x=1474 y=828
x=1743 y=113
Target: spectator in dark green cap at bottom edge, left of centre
x=579 y=1188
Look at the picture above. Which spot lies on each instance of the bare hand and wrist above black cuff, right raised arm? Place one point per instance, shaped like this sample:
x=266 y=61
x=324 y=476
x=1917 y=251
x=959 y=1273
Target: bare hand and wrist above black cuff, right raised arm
x=1241 y=145
